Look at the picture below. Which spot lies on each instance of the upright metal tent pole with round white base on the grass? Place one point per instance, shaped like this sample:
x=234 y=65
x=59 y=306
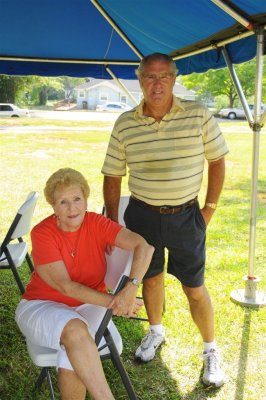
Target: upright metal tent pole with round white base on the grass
x=250 y=296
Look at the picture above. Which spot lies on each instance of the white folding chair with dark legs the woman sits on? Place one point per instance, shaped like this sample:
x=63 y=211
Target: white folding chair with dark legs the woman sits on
x=118 y=269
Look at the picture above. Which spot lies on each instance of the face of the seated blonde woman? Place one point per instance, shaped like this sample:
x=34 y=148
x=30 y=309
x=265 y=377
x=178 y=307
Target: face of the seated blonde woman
x=70 y=207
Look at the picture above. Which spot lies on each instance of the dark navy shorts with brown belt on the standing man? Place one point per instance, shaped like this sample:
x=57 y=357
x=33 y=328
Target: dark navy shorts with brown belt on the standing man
x=183 y=234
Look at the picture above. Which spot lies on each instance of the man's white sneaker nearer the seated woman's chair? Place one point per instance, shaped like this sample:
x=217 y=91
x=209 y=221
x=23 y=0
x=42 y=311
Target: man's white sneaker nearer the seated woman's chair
x=150 y=343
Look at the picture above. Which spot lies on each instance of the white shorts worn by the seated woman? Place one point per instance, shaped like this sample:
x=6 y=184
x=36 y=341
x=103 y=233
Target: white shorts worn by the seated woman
x=42 y=323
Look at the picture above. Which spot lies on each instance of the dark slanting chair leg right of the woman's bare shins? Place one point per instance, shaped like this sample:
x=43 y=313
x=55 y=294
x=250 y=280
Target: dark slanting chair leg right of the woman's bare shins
x=115 y=357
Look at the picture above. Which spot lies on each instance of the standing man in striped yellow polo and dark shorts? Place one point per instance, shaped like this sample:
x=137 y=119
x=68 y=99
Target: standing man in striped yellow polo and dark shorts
x=164 y=142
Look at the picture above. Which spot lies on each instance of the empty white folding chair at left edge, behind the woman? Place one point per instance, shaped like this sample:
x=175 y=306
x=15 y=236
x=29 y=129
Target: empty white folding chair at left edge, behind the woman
x=13 y=254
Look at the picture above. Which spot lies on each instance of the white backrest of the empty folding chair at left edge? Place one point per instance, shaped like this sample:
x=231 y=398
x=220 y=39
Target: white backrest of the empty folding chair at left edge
x=21 y=224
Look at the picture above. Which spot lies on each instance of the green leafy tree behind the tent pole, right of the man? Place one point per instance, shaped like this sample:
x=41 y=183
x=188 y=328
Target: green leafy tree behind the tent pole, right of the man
x=218 y=82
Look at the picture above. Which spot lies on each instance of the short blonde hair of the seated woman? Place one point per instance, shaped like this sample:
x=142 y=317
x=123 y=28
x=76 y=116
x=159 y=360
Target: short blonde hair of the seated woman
x=65 y=177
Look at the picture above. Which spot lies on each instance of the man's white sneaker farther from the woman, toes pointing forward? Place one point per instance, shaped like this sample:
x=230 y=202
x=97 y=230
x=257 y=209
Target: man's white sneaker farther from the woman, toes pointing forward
x=212 y=375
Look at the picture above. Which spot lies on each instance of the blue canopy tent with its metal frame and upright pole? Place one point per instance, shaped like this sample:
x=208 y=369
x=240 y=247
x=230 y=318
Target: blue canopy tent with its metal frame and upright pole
x=107 y=38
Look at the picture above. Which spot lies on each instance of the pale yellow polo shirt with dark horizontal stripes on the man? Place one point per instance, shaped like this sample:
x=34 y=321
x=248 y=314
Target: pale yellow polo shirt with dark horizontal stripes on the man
x=165 y=159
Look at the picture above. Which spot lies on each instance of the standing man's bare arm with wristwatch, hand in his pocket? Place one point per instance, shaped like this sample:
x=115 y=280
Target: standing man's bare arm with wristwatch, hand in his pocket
x=216 y=174
